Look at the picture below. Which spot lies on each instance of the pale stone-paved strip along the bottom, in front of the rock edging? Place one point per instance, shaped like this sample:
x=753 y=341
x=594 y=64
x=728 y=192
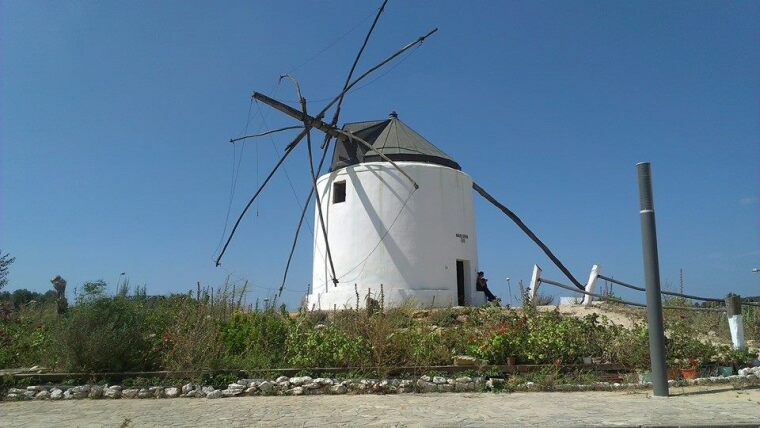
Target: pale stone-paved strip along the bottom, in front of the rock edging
x=461 y=409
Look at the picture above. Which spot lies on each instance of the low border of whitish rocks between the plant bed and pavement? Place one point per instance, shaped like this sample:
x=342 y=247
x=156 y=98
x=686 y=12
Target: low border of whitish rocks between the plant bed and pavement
x=305 y=385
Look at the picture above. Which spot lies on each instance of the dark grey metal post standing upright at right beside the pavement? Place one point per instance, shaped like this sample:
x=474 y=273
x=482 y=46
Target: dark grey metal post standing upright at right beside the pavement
x=652 y=276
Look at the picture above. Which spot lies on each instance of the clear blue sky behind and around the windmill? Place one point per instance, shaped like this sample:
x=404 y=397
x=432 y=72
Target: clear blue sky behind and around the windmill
x=115 y=117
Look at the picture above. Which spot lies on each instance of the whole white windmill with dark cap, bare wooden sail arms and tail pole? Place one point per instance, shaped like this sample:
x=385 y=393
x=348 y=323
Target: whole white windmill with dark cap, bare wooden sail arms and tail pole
x=393 y=211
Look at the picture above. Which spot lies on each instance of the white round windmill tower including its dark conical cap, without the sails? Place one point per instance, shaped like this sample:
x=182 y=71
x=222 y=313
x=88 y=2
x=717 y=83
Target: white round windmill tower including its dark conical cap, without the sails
x=385 y=235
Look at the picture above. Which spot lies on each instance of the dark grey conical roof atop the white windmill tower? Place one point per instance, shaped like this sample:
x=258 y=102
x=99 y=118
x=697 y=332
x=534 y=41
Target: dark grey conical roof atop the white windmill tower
x=391 y=137
